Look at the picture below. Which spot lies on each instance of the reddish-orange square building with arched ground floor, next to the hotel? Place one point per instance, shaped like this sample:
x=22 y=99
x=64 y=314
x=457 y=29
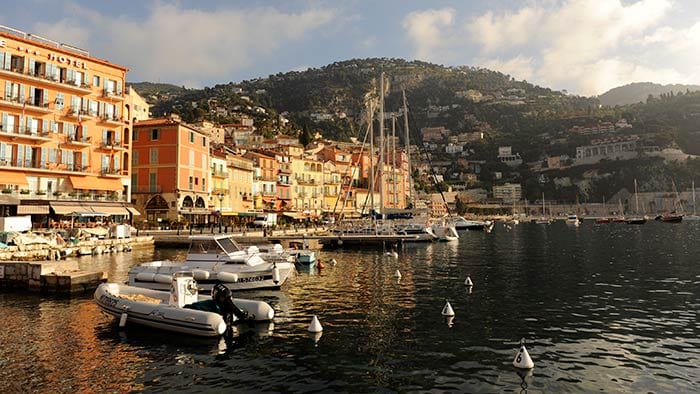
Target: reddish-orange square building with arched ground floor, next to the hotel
x=170 y=171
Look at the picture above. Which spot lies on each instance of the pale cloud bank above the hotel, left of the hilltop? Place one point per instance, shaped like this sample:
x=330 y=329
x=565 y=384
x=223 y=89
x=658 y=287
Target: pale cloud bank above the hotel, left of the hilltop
x=175 y=44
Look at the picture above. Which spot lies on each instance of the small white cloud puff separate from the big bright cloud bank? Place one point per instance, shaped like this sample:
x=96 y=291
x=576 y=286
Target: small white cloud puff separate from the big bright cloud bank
x=426 y=30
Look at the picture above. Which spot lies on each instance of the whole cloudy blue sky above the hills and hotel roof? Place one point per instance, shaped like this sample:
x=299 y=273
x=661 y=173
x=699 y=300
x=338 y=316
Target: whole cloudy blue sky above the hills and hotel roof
x=585 y=47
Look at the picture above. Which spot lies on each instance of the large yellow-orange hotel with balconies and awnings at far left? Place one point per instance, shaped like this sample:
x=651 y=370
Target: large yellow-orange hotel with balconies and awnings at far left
x=65 y=129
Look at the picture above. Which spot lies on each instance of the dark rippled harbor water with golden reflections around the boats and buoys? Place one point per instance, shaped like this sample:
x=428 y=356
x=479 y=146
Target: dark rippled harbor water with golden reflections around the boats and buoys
x=608 y=308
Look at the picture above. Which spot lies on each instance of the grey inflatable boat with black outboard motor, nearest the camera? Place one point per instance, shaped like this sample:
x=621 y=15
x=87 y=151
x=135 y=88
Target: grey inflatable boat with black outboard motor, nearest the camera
x=181 y=310
